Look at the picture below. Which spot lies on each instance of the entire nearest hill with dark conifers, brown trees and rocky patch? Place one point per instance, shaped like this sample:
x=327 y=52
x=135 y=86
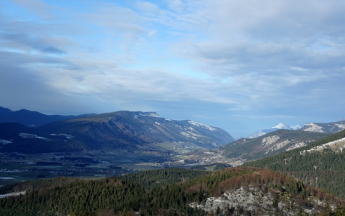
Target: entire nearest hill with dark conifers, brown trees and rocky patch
x=239 y=191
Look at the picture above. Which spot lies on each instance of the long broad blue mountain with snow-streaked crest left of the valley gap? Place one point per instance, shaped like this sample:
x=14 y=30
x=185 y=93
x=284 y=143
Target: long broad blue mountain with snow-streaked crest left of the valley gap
x=117 y=130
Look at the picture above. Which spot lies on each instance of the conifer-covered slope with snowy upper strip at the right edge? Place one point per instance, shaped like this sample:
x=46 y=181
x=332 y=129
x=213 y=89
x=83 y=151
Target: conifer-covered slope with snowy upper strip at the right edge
x=320 y=164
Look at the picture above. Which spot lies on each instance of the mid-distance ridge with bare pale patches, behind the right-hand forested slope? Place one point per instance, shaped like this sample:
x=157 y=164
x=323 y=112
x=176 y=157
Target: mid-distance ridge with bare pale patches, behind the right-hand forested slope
x=269 y=144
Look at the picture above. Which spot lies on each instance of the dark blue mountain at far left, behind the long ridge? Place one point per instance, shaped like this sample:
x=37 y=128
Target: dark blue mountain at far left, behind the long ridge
x=29 y=118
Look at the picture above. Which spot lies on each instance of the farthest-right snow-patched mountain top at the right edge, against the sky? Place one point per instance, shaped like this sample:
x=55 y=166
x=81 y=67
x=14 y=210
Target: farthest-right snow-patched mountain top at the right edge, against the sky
x=332 y=127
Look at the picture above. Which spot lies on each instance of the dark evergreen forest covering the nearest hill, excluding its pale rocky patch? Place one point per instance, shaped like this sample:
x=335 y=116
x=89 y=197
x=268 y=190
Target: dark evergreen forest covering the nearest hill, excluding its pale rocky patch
x=111 y=196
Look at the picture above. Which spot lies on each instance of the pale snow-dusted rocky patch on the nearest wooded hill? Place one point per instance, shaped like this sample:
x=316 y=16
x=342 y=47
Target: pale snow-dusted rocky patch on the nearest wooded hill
x=258 y=201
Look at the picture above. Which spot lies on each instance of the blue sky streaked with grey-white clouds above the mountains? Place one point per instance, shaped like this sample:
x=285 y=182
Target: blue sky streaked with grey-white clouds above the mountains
x=241 y=65
